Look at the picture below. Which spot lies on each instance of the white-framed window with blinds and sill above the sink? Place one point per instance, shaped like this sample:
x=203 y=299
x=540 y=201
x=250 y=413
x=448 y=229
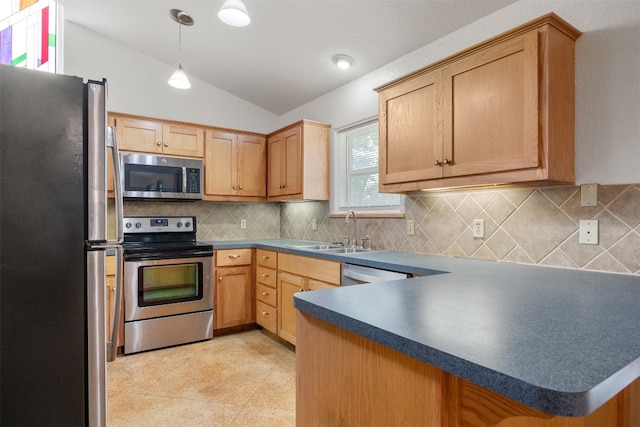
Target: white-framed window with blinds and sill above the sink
x=355 y=173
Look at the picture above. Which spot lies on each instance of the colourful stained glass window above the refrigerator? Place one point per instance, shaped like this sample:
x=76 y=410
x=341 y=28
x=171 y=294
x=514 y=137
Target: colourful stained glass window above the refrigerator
x=28 y=34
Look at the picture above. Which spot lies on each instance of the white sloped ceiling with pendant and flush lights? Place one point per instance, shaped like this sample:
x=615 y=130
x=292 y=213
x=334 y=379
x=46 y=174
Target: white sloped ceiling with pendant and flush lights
x=283 y=58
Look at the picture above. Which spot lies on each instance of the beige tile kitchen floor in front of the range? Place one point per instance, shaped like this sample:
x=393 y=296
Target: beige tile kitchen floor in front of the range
x=243 y=379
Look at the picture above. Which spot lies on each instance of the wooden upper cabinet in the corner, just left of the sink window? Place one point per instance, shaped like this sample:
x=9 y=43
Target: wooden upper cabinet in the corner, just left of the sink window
x=298 y=162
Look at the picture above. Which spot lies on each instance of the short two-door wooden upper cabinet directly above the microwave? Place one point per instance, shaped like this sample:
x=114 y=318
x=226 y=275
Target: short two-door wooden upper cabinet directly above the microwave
x=156 y=137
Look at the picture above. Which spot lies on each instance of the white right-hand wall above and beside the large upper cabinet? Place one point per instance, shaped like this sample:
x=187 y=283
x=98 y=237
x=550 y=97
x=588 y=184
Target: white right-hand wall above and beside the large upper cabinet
x=607 y=82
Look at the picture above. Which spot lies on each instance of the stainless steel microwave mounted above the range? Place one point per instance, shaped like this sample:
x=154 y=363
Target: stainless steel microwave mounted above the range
x=147 y=176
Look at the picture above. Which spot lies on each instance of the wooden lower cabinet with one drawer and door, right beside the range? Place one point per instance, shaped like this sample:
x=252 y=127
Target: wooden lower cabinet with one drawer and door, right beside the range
x=234 y=303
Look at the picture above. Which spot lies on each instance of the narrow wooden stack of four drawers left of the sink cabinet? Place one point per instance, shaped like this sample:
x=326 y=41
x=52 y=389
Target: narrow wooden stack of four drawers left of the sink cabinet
x=266 y=290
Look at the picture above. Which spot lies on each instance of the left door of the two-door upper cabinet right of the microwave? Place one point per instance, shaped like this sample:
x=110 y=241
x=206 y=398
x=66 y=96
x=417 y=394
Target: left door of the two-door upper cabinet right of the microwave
x=221 y=165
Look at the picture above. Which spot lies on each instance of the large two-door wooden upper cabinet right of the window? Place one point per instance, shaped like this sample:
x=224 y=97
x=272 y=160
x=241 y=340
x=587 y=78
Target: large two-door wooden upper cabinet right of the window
x=500 y=112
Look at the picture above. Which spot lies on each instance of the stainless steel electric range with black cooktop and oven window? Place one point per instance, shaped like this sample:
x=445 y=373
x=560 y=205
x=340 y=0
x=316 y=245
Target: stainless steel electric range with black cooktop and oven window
x=168 y=294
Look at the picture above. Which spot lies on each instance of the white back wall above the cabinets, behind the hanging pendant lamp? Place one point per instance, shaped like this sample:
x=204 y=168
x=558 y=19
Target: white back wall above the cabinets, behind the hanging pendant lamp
x=138 y=85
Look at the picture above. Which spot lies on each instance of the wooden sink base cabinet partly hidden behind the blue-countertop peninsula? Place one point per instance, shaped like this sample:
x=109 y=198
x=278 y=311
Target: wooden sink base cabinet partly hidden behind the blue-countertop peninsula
x=300 y=274
